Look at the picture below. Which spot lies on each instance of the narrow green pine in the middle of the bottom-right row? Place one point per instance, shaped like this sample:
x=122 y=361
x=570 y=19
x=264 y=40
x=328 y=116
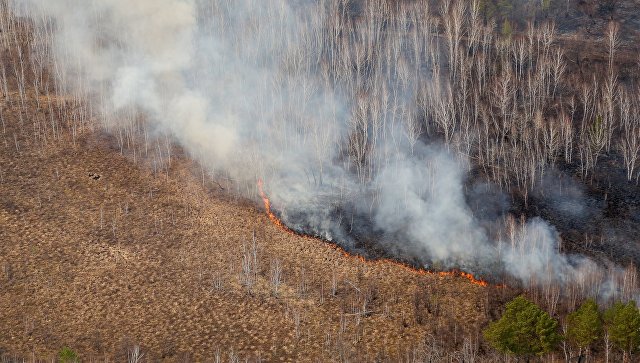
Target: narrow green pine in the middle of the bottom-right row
x=584 y=326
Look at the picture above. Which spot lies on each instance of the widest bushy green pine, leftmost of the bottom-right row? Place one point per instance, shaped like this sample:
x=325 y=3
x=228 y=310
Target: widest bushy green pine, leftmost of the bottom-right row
x=523 y=330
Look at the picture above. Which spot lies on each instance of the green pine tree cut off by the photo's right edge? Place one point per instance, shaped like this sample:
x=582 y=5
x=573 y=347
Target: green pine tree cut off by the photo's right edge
x=623 y=325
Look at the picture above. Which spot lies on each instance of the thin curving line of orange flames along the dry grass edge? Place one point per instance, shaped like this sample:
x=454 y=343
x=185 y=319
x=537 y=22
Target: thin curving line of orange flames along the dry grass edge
x=420 y=271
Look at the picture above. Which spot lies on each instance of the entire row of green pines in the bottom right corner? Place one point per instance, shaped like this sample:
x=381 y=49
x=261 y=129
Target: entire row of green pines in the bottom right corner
x=526 y=331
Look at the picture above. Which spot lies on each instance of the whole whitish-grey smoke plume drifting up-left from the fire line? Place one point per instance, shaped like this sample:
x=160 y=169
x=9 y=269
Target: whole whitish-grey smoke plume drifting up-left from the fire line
x=332 y=111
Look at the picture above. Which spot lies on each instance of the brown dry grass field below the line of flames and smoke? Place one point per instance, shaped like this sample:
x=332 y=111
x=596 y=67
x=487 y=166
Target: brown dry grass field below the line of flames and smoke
x=155 y=260
